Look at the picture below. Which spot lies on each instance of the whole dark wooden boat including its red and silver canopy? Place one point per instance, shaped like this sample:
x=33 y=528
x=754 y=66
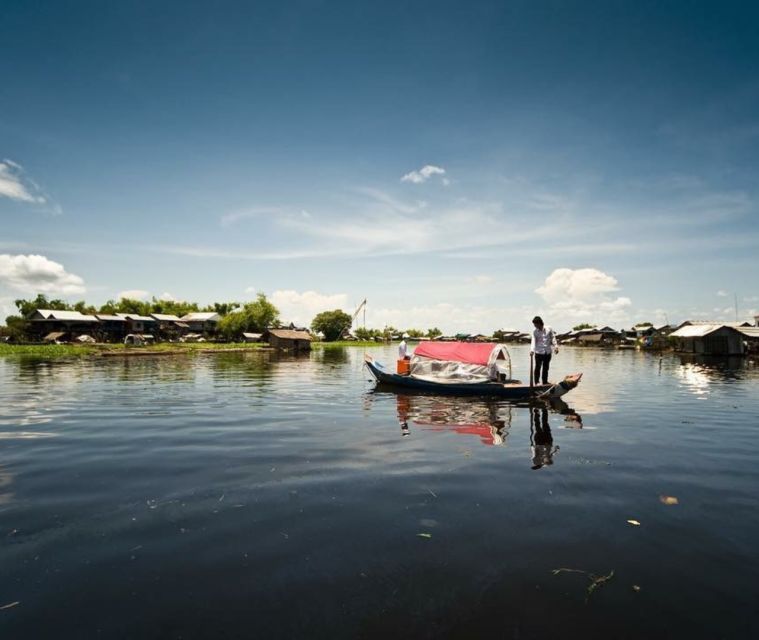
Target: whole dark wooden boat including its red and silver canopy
x=461 y=368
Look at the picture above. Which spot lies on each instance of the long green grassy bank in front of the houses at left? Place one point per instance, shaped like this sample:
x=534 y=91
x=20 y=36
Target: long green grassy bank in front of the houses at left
x=89 y=350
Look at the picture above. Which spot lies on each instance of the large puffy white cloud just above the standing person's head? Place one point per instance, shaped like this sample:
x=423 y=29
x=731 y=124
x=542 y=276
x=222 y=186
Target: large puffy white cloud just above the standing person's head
x=583 y=294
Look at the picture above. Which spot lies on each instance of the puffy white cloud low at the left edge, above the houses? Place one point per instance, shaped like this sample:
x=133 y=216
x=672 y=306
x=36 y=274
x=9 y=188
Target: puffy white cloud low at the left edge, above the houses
x=38 y=274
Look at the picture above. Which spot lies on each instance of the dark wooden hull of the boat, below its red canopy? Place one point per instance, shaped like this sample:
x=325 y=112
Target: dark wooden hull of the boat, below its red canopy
x=512 y=389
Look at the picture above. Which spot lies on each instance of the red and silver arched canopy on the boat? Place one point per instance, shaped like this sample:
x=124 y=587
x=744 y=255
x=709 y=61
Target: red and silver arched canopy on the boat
x=460 y=362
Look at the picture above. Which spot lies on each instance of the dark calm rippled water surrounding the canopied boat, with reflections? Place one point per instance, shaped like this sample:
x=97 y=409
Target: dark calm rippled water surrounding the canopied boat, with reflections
x=256 y=496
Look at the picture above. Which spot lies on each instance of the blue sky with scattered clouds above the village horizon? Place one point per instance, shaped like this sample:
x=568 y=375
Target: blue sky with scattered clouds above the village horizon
x=461 y=165
